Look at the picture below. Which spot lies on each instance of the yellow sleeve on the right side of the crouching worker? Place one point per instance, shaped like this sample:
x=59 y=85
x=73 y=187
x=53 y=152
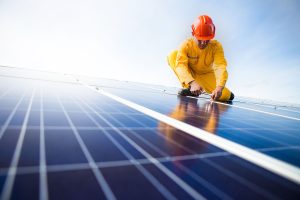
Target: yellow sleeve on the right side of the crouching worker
x=220 y=65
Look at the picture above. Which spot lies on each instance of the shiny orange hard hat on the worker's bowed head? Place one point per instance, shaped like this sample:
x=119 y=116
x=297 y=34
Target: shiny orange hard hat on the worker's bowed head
x=203 y=28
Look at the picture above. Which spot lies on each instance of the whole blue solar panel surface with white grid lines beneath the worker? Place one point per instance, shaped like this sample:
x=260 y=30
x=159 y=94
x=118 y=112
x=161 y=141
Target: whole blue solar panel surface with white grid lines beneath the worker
x=66 y=137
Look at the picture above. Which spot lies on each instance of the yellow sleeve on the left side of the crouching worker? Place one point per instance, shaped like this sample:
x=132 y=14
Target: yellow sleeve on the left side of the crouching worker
x=181 y=66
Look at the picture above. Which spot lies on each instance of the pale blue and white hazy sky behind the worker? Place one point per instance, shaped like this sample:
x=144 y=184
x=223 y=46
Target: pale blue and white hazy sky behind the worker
x=130 y=40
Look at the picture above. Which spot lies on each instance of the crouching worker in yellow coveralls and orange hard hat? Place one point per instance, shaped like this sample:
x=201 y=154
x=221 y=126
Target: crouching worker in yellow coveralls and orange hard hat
x=200 y=64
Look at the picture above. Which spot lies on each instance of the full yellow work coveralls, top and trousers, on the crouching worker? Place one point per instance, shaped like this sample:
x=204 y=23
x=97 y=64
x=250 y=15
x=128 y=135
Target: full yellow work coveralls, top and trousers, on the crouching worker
x=206 y=66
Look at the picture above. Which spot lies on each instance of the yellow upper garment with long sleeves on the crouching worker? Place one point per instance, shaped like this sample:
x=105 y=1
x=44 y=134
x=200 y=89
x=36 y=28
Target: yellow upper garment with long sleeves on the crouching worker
x=193 y=60
